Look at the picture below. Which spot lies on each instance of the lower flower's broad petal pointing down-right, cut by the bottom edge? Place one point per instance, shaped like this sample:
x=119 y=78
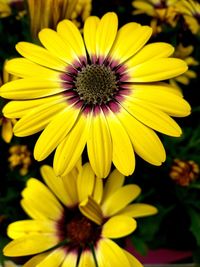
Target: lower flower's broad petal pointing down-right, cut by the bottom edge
x=110 y=254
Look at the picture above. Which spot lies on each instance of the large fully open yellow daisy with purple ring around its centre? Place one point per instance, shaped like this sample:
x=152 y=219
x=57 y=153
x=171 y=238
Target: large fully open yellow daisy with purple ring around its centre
x=107 y=97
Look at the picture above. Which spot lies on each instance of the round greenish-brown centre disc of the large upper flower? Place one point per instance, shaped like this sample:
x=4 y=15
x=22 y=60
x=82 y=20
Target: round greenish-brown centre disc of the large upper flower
x=96 y=84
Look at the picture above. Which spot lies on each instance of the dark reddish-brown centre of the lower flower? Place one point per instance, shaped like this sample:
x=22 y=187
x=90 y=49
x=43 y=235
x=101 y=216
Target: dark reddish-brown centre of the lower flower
x=81 y=231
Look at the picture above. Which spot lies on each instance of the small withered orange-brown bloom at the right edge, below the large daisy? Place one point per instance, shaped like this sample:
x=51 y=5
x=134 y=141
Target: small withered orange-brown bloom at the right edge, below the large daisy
x=184 y=172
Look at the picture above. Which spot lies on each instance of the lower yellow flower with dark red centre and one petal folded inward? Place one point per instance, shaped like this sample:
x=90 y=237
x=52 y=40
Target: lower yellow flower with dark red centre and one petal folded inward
x=74 y=215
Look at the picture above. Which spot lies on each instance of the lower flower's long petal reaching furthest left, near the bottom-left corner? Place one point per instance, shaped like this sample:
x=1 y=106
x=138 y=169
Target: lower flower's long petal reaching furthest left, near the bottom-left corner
x=29 y=245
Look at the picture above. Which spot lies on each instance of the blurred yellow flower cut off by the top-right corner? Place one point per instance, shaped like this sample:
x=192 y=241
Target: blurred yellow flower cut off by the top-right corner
x=190 y=10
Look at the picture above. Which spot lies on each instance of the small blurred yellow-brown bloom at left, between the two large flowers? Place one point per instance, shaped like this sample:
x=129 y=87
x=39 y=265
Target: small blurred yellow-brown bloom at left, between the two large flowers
x=20 y=157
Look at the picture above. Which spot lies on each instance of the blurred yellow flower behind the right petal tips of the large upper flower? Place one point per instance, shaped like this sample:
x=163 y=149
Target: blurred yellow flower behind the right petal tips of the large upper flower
x=184 y=53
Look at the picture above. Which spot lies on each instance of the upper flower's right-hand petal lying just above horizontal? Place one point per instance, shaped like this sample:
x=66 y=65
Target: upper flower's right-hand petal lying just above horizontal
x=157 y=70
